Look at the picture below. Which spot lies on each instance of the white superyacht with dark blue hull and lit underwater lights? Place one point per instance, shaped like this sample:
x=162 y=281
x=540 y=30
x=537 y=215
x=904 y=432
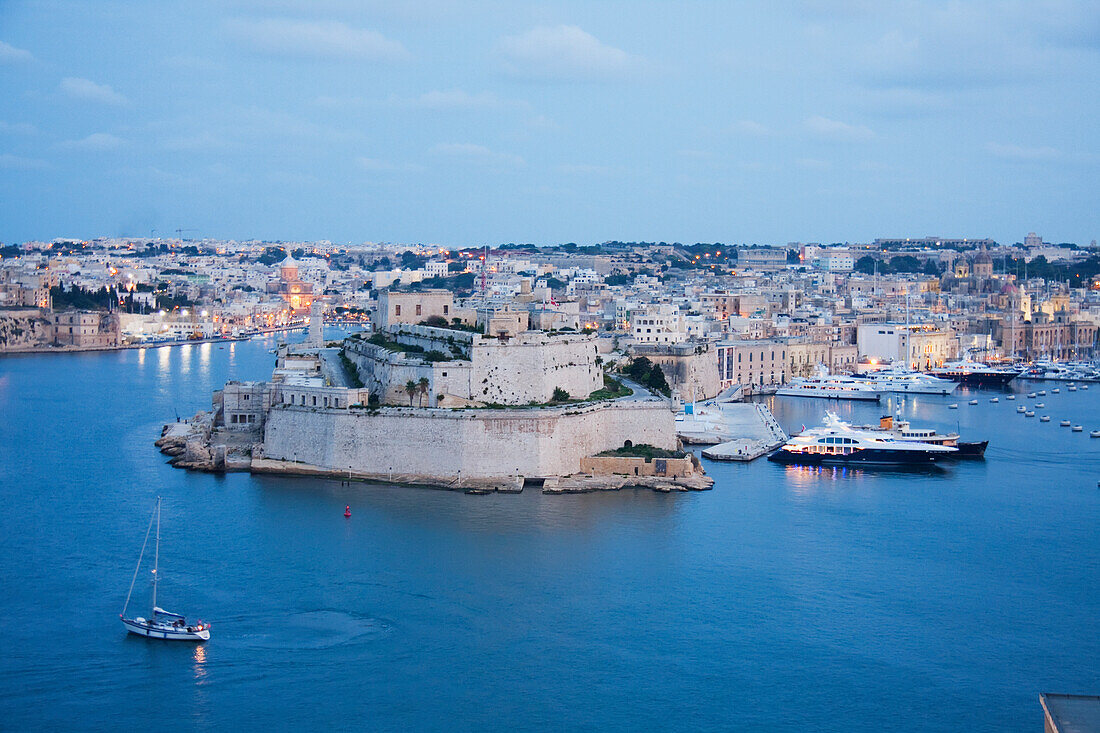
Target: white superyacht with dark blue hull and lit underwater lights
x=841 y=444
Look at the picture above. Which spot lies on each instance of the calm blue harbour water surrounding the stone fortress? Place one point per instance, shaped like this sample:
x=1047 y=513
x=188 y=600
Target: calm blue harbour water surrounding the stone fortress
x=785 y=599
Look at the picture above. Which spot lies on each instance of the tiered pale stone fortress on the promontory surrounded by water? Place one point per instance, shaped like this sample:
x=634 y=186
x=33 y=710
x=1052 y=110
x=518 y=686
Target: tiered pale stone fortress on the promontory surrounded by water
x=477 y=407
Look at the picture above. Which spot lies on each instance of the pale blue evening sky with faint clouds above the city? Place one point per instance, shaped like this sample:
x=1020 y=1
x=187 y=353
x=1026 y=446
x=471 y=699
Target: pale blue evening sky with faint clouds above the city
x=466 y=124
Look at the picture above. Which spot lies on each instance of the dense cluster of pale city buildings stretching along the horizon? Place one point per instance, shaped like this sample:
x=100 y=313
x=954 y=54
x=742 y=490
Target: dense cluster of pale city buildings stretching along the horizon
x=711 y=316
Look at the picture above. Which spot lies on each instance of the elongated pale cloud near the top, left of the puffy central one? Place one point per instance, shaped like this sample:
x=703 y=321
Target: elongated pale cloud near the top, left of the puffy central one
x=316 y=40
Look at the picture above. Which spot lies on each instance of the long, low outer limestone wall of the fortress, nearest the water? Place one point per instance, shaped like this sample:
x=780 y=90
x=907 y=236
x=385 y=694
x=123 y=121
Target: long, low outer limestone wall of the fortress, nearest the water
x=445 y=446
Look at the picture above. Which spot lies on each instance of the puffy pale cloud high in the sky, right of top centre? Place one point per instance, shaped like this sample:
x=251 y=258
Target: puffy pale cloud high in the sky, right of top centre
x=565 y=53
